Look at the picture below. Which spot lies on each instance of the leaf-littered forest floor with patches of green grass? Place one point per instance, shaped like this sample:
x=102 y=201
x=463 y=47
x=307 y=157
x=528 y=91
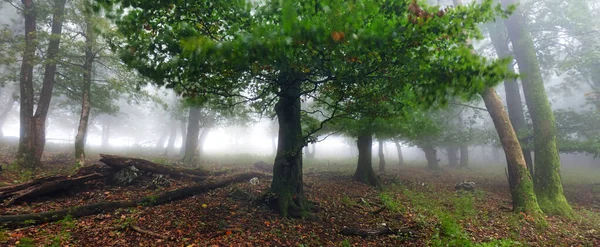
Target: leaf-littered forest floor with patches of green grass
x=419 y=203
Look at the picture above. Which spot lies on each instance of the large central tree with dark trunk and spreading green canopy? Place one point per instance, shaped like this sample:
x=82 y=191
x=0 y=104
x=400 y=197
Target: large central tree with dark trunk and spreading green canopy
x=287 y=50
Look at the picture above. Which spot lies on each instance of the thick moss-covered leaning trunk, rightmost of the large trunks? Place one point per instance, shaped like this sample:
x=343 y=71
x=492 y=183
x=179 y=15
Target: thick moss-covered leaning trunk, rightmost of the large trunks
x=548 y=185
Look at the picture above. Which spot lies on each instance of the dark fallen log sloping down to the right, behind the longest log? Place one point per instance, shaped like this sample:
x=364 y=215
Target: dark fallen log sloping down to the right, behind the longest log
x=120 y=162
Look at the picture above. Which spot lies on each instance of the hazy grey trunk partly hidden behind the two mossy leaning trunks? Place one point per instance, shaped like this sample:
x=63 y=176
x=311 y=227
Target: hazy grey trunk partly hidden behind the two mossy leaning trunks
x=514 y=104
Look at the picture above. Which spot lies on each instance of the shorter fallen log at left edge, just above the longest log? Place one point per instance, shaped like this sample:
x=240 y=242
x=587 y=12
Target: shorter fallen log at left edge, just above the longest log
x=47 y=188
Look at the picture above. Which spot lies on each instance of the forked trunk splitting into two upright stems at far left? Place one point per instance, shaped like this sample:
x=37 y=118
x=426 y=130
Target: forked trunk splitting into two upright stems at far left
x=33 y=126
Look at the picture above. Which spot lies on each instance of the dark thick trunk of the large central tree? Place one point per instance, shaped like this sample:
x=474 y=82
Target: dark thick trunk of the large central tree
x=287 y=182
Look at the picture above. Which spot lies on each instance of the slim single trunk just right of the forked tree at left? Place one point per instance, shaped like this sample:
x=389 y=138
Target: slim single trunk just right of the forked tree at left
x=82 y=131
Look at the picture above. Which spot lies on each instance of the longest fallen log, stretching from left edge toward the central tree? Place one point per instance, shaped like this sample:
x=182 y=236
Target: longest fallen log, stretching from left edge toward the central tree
x=16 y=221
